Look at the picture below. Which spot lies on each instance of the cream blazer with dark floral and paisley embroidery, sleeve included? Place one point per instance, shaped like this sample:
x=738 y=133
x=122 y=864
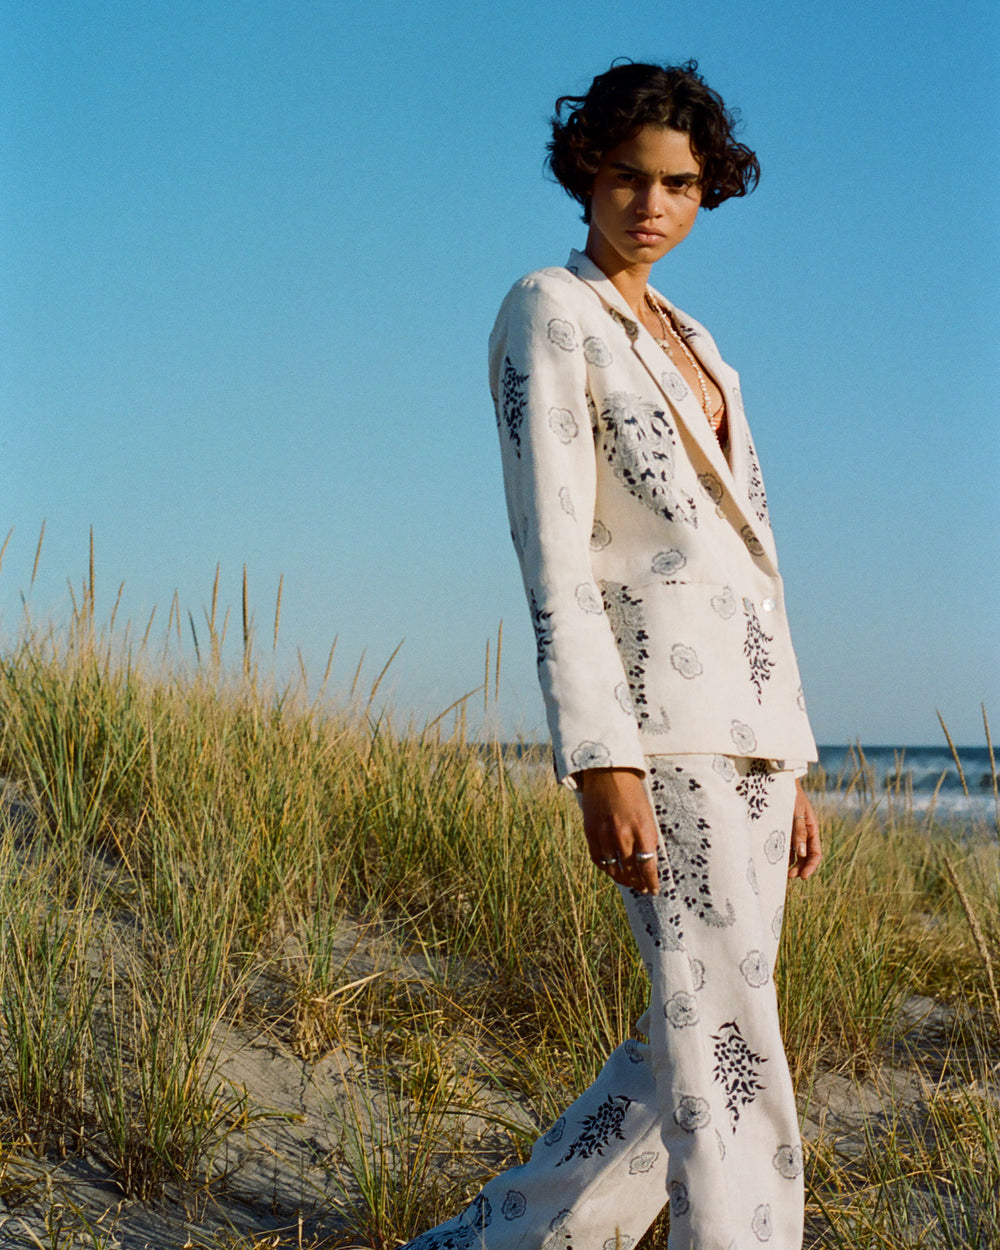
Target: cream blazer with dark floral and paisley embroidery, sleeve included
x=647 y=553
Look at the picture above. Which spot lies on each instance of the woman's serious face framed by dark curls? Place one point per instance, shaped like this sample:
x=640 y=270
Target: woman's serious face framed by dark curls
x=644 y=201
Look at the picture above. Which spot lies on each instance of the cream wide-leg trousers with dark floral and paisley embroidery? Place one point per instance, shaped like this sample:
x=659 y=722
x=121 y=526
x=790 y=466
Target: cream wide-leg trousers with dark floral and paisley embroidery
x=703 y=1116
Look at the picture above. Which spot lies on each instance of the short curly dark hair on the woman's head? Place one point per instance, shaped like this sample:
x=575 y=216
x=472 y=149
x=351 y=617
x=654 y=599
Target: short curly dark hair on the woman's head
x=632 y=96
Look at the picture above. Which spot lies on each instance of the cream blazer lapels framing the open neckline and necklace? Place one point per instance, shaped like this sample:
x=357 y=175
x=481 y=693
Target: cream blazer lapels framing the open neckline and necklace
x=683 y=403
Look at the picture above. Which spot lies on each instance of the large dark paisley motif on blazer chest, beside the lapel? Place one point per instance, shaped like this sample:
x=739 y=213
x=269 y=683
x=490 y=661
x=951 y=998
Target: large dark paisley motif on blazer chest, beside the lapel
x=639 y=442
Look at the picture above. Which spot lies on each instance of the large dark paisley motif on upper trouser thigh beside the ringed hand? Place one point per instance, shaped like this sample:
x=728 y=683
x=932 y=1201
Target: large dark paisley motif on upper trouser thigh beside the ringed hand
x=679 y=807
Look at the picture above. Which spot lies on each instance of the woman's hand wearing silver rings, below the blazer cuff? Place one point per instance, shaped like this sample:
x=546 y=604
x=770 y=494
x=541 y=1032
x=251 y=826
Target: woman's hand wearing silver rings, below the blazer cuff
x=621 y=827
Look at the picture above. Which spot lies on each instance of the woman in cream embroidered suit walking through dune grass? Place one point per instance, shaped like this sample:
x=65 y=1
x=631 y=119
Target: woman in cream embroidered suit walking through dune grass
x=639 y=517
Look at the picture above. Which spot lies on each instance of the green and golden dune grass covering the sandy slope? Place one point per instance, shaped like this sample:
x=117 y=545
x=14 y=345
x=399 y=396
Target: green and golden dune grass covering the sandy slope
x=176 y=838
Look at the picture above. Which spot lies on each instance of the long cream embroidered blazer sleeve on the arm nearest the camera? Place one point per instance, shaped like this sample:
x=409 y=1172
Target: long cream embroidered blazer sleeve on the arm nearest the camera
x=538 y=378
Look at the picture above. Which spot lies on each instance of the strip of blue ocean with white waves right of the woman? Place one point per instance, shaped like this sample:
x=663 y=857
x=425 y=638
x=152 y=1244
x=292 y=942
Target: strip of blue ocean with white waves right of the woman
x=922 y=779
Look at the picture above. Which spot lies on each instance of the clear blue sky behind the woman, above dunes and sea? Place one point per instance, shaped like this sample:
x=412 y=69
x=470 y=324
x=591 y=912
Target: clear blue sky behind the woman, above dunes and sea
x=252 y=254
